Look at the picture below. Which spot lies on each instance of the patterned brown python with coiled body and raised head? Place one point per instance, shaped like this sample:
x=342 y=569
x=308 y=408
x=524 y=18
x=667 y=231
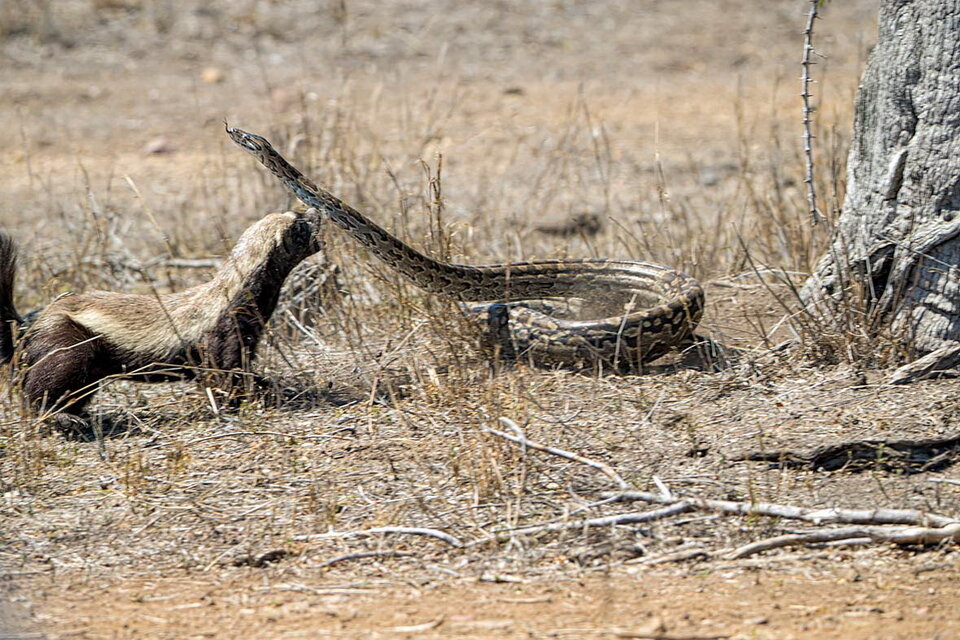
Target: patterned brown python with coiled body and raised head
x=622 y=341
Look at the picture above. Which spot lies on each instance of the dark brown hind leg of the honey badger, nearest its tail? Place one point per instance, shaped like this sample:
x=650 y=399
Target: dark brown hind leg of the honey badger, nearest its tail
x=61 y=371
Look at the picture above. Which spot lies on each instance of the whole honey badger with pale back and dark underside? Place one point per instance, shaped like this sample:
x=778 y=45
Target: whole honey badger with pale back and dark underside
x=80 y=339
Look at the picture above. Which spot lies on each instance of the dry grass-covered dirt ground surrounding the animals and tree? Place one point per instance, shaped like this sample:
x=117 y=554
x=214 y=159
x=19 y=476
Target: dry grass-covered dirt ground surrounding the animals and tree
x=675 y=124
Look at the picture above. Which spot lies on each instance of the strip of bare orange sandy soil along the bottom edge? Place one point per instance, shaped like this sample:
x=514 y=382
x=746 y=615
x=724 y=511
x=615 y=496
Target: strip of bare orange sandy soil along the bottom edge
x=832 y=597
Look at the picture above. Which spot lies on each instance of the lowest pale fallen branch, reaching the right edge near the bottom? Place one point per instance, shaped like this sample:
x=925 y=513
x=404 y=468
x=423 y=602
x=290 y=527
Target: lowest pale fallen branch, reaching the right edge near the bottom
x=895 y=535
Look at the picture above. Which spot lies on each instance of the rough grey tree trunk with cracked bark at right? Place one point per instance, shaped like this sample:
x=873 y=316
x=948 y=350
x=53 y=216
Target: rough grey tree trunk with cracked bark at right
x=898 y=238
